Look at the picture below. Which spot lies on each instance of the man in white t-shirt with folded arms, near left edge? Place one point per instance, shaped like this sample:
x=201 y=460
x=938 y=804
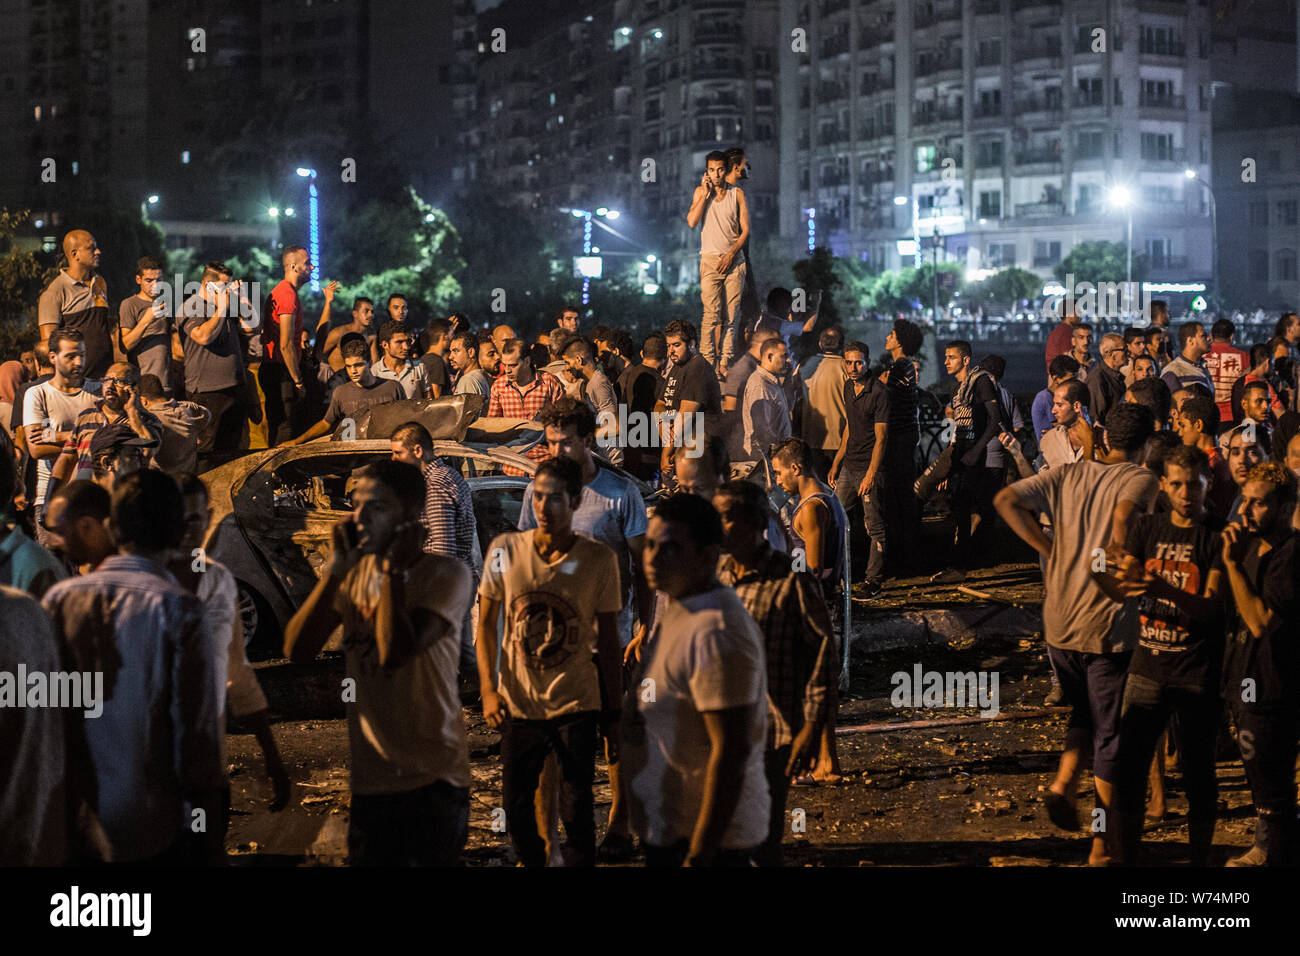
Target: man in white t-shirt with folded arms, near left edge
x=51 y=409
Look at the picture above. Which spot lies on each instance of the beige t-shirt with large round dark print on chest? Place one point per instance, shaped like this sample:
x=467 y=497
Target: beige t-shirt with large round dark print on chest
x=548 y=667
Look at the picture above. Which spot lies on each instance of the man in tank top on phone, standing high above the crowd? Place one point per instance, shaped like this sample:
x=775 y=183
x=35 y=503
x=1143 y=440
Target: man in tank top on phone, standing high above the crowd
x=722 y=259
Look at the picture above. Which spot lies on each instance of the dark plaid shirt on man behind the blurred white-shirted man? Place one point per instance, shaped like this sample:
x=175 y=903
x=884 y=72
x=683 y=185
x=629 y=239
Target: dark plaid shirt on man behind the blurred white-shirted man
x=799 y=641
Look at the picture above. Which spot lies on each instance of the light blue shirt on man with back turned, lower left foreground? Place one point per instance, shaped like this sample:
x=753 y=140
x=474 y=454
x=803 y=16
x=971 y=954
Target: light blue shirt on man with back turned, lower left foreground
x=159 y=738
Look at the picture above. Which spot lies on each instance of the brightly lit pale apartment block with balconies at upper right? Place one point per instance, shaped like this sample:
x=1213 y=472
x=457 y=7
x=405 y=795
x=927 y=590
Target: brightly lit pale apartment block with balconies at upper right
x=998 y=129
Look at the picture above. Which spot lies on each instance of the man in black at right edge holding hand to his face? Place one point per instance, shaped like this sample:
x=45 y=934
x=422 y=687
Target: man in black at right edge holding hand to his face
x=1262 y=669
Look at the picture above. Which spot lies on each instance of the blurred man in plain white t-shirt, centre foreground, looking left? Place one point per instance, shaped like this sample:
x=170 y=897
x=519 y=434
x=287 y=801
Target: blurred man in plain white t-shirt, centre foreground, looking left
x=694 y=747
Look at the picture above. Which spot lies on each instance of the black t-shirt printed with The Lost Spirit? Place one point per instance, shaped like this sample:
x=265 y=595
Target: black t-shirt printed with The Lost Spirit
x=1175 y=648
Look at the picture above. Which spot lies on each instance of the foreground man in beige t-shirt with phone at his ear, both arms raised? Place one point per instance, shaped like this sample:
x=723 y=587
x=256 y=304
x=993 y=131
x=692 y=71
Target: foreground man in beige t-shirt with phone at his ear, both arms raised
x=401 y=611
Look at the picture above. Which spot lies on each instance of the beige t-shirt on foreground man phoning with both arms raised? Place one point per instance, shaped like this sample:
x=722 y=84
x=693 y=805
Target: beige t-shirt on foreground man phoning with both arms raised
x=406 y=729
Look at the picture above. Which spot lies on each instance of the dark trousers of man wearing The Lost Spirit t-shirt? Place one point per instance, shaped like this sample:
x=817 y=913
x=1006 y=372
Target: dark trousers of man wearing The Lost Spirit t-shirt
x=1147 y=710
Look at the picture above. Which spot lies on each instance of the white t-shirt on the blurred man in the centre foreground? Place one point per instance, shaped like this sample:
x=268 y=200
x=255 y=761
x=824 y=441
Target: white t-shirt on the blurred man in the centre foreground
x=707 y=655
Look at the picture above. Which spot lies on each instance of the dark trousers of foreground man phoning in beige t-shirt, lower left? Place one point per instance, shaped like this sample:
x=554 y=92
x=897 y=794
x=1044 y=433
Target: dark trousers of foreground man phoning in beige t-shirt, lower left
x=421 y=828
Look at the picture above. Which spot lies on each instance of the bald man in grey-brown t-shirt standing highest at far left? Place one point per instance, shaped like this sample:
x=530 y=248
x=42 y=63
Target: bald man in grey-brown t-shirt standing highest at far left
x=79 y=300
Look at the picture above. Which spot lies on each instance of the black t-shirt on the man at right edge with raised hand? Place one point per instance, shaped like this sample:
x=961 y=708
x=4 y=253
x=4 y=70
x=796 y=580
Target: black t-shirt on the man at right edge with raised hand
x=1273 y=661
